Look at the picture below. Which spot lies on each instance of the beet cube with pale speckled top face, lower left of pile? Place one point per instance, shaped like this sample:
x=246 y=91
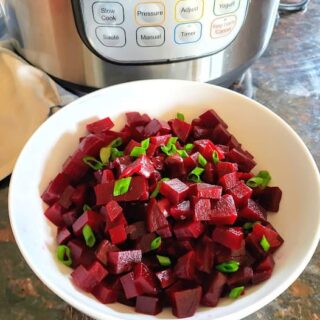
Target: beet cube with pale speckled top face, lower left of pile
x=123 y=261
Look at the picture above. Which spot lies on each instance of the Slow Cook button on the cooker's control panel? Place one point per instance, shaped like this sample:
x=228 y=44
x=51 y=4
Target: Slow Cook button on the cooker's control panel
x=108 y=13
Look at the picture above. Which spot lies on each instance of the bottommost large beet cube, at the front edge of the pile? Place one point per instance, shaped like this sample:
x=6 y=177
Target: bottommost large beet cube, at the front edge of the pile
x=185 y=303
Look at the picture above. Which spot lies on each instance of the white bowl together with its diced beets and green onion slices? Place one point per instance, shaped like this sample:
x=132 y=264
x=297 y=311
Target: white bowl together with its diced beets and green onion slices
x=168 y=199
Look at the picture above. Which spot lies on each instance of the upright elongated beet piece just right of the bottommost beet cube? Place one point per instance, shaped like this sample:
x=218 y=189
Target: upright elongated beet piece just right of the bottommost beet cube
x=215 y=289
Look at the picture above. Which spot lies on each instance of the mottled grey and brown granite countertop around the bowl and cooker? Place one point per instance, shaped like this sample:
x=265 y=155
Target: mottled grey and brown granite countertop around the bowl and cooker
x=287 y=80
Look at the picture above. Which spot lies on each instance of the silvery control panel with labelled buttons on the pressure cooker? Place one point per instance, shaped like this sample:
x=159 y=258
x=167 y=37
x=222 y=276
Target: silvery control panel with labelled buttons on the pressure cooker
x=139 y=31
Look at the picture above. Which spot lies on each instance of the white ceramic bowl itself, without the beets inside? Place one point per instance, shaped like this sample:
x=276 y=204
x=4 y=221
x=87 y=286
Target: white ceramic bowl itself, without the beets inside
x=277 y=148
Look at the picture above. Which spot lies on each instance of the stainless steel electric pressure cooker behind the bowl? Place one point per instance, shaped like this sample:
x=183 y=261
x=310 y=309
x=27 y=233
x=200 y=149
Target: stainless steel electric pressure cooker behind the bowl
x=97 y=43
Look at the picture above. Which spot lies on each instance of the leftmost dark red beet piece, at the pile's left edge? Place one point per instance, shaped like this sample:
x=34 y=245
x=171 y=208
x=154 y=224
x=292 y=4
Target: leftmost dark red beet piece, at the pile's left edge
x=55 y=189
